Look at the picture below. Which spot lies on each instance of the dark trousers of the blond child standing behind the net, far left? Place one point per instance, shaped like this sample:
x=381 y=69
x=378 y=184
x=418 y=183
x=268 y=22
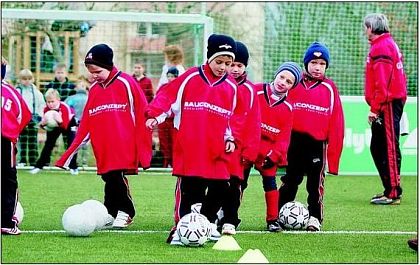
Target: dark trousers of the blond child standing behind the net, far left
x=28 y=143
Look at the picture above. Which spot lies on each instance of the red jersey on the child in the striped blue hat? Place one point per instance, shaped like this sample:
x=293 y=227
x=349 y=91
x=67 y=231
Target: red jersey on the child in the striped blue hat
x=276 y=127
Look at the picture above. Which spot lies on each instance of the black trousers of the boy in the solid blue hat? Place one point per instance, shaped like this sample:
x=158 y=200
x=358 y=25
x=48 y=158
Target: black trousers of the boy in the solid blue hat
x=305 y=156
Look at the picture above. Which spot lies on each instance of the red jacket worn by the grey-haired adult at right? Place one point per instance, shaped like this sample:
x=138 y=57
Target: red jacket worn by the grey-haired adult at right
x=384 y=75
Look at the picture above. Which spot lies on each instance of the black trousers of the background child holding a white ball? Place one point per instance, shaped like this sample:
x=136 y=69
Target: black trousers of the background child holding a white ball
x=52 y=136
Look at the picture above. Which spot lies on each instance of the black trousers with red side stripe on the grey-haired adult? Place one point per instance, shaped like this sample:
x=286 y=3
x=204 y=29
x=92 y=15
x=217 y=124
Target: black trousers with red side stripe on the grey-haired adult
x=385 y=147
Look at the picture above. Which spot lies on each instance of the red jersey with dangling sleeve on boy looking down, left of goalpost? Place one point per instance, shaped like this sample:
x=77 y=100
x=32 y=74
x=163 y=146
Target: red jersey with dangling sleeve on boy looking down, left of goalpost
x=113 y=119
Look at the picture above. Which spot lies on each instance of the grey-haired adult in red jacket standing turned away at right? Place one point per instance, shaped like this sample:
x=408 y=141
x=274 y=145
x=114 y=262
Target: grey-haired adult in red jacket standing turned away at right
x=386 y=93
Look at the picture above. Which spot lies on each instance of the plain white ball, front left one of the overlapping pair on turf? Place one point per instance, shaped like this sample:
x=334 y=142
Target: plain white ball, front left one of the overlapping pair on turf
x=78 y=221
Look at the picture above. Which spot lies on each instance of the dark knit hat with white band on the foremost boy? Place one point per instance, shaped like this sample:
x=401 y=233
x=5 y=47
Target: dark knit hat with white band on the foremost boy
x=220 y=45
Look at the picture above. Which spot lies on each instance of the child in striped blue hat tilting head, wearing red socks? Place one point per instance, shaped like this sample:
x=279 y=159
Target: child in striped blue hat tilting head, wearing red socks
x=276 y=125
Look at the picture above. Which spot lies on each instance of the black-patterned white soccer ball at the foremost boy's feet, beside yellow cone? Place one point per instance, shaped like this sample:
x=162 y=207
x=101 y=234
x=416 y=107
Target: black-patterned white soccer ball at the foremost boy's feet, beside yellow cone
x=193 y=229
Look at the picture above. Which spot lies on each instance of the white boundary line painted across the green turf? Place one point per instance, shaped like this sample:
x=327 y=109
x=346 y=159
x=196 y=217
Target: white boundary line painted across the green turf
x=239 y=232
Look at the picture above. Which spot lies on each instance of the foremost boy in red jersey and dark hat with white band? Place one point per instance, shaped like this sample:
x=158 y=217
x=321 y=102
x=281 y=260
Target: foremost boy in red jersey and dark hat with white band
x=203 y=100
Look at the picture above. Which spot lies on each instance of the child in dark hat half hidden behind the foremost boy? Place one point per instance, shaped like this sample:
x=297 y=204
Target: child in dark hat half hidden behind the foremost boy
x=247 y=124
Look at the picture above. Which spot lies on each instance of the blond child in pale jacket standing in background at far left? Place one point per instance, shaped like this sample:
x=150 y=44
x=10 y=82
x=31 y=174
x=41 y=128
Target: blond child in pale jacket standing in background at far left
x=28 y=139
